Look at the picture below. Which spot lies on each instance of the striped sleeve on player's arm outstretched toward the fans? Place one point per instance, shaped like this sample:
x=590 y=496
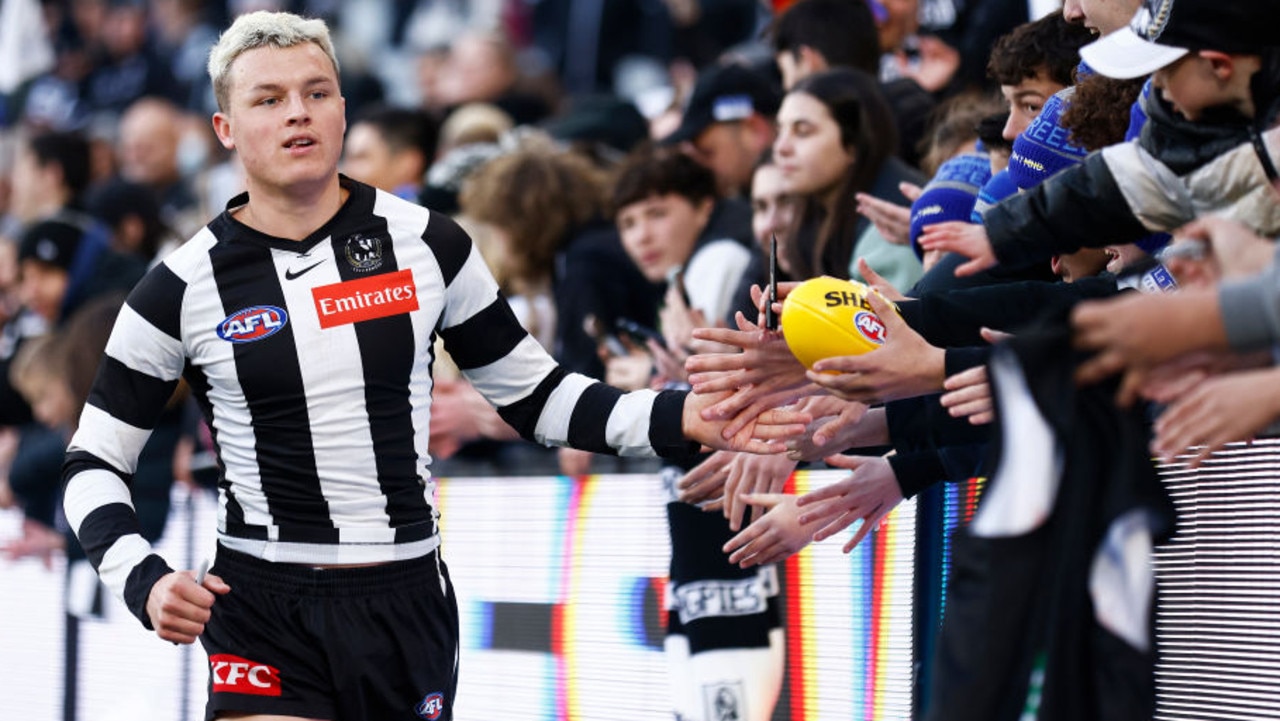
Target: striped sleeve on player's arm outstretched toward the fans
x=537 y=398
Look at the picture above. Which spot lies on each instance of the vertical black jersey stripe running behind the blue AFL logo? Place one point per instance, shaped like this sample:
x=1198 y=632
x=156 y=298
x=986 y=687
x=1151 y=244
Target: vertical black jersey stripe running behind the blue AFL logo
x=271 y=377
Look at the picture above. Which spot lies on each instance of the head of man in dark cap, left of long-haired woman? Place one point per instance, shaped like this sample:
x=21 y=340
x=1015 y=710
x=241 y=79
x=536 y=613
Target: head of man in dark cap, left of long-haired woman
x=729 y=125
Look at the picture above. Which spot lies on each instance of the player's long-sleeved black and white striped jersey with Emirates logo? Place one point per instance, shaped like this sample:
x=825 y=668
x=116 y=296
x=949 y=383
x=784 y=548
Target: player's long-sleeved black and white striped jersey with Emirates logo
x=312 y=363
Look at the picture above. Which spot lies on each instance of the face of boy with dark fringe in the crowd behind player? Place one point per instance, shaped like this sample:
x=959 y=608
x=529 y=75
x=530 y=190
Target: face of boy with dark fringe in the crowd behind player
x=660 y=232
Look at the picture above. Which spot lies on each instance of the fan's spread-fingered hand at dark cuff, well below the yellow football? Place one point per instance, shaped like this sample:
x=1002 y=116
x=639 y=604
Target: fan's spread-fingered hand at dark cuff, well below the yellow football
x=867 y=495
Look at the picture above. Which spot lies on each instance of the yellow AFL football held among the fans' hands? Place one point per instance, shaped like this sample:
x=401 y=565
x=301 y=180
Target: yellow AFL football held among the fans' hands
x=828 y=317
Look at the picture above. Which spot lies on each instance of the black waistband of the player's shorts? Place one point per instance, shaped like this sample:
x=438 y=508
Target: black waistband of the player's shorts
x=303 y=579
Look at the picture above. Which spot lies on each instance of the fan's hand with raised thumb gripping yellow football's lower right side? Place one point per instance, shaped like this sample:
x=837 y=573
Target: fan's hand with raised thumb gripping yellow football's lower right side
x=907 y=366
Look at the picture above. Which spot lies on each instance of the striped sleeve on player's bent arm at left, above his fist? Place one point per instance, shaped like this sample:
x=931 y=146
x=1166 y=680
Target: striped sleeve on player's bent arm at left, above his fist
x=135 y=381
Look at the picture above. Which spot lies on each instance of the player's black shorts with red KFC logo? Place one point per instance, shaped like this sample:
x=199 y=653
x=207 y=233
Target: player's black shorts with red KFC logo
x=376 y=644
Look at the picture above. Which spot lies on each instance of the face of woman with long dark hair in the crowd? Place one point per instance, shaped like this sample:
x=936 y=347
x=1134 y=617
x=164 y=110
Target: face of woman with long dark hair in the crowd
x=808 y=150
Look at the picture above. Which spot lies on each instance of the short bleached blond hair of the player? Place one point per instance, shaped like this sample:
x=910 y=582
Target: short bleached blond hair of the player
x=263 y=30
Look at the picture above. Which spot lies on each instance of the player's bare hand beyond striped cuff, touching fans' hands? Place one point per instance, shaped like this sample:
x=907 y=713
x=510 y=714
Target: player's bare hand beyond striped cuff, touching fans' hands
x=764 y=432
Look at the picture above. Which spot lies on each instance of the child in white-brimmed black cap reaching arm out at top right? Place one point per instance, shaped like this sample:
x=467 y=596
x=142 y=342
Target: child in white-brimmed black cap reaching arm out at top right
x=1209 y=144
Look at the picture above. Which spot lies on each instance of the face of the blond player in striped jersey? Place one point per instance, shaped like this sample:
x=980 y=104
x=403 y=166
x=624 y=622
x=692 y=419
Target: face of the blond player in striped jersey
x=285 y=118
